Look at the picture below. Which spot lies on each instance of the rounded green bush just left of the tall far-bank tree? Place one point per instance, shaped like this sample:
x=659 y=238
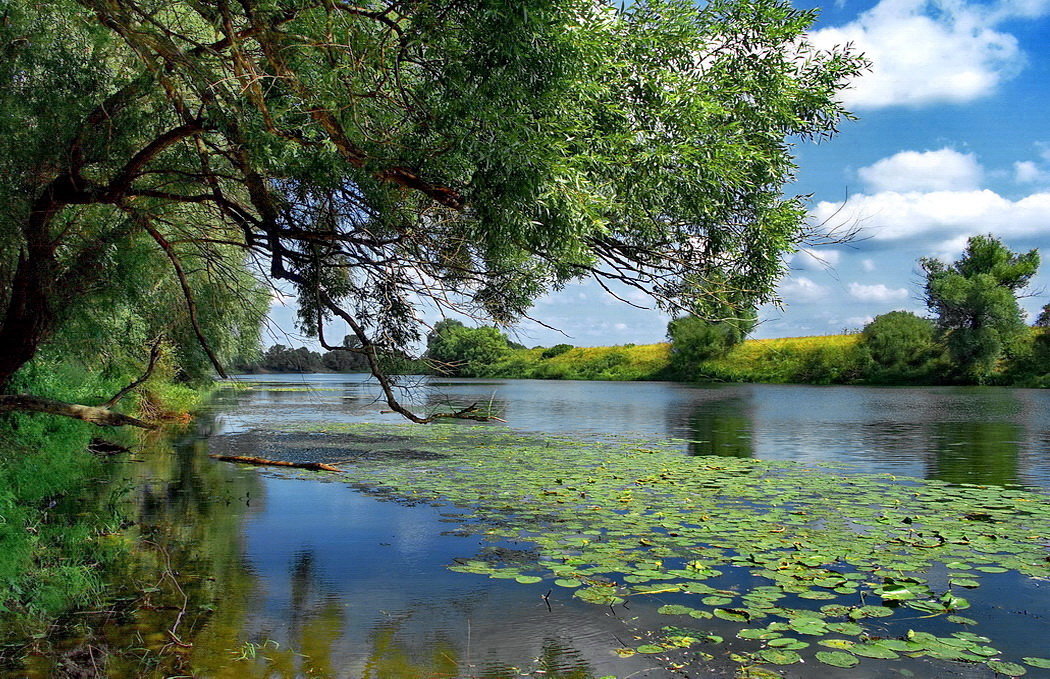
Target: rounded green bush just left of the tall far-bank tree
x=902 y=347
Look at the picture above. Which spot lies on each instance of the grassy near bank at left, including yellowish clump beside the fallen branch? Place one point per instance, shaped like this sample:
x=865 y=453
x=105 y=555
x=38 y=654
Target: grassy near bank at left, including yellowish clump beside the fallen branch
x=59 y=519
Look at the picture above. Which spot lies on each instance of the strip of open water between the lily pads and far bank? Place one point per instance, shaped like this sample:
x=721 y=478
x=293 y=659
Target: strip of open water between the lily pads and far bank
x=960 y=435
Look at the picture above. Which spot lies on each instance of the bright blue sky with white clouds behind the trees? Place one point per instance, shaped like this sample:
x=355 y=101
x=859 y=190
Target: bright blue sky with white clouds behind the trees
x=953 y=140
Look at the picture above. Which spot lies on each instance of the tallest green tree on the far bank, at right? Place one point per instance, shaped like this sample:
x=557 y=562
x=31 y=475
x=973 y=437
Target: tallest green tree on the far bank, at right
x=976 y=303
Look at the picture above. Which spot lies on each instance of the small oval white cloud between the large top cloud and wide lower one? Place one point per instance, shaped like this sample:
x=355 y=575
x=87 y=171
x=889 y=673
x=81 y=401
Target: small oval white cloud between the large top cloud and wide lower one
x=942 y=171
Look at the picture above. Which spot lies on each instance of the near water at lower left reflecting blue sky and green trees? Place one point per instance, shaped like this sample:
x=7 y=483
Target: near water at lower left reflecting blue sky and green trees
x=230 y=572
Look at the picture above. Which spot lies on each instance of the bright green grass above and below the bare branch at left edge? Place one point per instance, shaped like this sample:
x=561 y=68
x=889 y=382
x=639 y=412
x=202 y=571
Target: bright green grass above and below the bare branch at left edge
x=49 y=566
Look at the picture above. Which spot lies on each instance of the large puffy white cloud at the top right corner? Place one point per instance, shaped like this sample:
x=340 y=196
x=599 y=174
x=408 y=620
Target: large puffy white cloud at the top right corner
x=929 y=52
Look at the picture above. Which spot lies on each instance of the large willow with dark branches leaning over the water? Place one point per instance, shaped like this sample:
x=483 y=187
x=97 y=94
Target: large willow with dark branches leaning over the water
x=470 y=155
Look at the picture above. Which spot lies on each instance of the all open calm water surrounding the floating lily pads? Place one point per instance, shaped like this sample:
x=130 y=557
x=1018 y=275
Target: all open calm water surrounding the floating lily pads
x=293 y=578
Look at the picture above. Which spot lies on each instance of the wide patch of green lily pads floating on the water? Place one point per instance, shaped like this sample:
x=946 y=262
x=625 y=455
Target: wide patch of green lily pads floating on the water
x=833 y=558
